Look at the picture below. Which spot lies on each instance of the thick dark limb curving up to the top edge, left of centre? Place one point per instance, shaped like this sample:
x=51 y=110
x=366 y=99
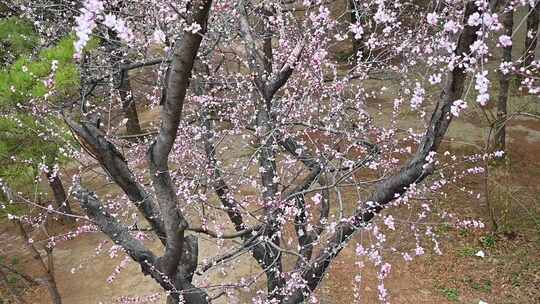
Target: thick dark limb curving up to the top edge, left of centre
x=158 y=154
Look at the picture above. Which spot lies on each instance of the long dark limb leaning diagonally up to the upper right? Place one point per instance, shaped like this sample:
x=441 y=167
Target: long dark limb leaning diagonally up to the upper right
x=393 y=186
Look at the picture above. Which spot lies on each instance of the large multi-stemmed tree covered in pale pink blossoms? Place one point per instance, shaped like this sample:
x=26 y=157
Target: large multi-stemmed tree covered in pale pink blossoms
x=266 y=139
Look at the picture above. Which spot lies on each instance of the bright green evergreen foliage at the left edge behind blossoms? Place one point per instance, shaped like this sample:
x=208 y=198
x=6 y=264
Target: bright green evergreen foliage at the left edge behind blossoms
x=26 y=142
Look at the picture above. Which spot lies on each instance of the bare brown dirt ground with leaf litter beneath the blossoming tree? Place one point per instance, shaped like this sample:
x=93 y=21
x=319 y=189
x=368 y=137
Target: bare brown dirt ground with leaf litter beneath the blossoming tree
x=510 y=272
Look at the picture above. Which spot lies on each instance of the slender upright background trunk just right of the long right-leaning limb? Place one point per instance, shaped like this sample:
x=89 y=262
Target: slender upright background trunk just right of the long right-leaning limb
x=504 y=85
